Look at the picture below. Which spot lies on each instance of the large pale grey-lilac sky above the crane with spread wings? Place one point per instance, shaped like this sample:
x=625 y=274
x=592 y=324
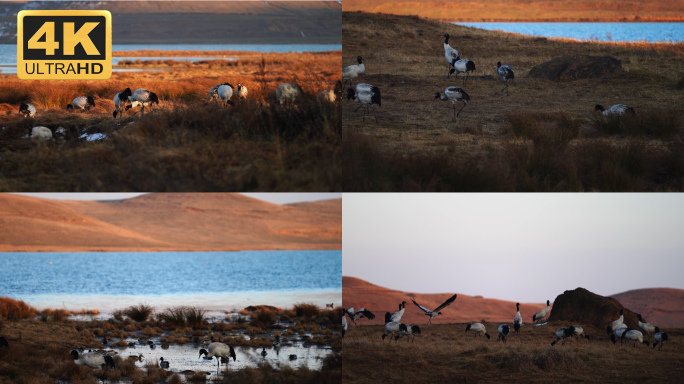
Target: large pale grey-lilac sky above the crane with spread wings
x=518 y=247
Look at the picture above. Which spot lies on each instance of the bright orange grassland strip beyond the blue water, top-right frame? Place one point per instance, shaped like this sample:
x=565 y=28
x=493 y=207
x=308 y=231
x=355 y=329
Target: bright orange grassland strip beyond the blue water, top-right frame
x=526 y=10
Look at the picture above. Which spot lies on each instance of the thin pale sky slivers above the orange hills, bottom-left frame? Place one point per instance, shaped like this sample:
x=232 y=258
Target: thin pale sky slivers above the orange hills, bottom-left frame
x=278 y=198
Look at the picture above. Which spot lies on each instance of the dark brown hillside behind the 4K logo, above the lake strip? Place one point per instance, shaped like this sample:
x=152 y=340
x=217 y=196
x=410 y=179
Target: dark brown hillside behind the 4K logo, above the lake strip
x=202 y=22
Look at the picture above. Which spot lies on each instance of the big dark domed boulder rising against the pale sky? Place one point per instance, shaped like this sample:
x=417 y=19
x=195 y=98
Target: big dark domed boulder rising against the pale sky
x=582 y=307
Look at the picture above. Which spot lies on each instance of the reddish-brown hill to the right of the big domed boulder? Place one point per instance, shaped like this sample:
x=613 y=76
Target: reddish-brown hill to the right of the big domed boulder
x=663 y=307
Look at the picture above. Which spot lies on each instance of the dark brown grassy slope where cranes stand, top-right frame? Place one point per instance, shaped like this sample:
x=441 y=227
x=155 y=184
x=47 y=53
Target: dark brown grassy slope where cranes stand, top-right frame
x=545 y=136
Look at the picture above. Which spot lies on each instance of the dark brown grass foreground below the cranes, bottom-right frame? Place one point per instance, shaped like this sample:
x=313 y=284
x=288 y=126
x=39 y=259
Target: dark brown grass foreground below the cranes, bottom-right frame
x=445 y=353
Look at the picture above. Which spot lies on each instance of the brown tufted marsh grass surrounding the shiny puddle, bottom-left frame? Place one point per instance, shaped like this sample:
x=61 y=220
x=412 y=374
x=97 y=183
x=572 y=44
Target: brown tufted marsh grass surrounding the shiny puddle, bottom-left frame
x=39 y=347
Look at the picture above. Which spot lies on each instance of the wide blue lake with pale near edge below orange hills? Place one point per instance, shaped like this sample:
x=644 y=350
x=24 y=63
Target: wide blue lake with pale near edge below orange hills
x=213 y=280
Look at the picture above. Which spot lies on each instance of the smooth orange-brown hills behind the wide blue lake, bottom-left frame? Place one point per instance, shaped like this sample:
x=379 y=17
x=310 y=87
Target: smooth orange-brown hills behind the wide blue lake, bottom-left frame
x=167 y=222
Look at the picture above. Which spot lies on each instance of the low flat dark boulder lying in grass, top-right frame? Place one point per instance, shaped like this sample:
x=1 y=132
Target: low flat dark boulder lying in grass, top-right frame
x=575 y=67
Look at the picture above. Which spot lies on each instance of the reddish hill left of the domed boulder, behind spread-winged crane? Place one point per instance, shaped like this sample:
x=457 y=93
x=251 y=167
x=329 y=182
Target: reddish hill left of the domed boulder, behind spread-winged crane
x=358 y=293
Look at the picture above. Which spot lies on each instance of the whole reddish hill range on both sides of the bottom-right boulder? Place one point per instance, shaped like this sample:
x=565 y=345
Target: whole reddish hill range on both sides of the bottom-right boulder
x=666 y=305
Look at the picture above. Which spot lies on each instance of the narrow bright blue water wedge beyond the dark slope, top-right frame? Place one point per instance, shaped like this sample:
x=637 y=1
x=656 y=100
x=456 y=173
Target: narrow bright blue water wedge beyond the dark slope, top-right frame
x=622 y=32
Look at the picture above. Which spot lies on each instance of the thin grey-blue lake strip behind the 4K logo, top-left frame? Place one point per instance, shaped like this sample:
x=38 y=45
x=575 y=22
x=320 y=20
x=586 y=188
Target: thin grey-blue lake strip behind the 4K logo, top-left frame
x=8 y=52
